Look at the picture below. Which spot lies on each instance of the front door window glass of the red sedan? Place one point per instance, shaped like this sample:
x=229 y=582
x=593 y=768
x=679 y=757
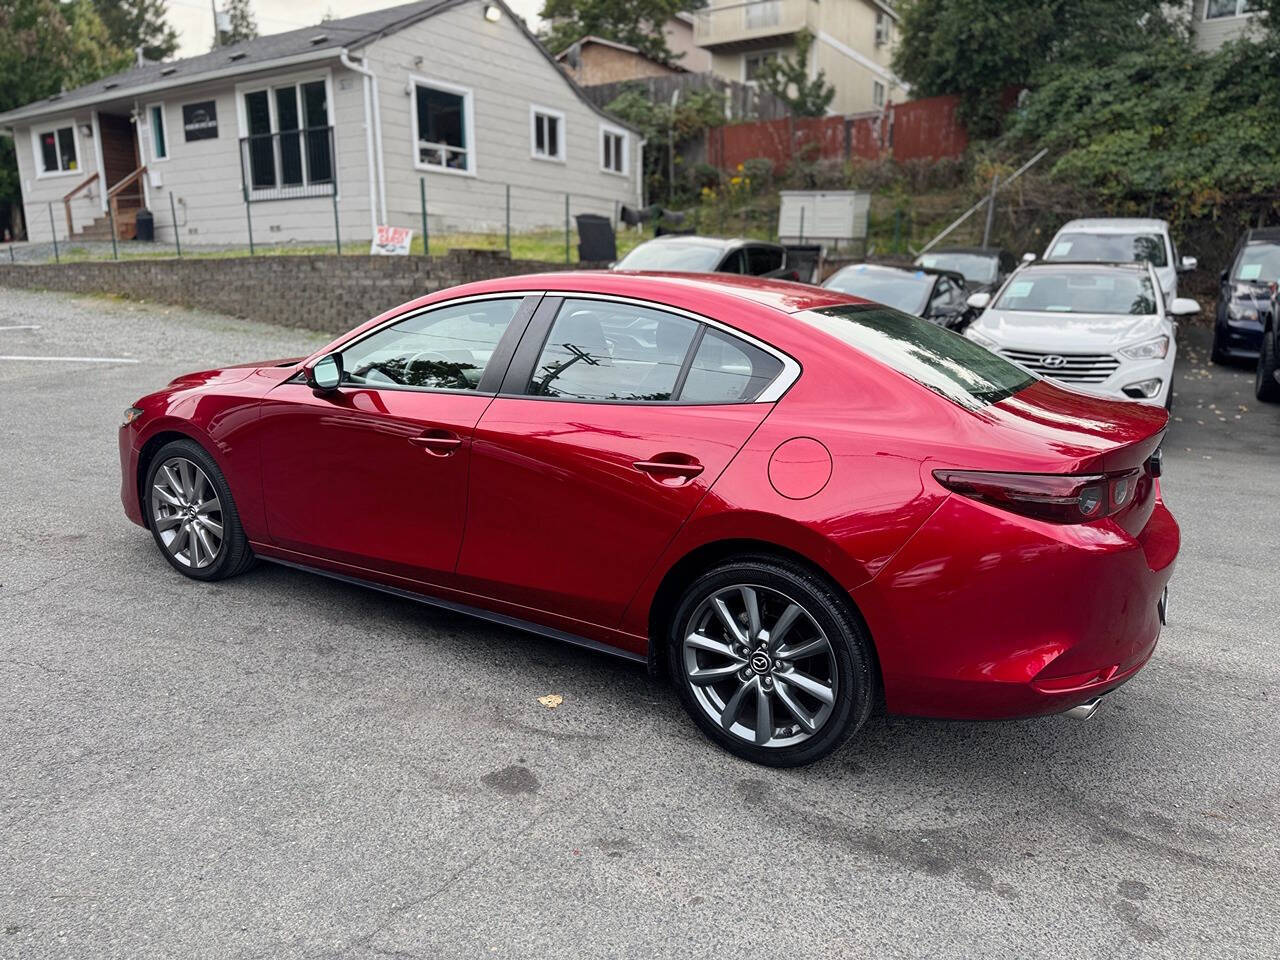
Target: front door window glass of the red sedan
x=444 y=350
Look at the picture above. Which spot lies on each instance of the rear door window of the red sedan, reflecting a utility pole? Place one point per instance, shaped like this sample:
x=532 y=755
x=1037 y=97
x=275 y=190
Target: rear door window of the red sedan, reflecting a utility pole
x=606 y=351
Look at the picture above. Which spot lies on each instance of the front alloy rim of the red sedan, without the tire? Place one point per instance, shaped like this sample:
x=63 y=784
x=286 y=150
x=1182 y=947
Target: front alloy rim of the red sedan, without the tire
x=188 y=514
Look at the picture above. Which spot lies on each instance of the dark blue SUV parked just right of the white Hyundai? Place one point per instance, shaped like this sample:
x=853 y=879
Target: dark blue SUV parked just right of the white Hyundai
x=1247 y=299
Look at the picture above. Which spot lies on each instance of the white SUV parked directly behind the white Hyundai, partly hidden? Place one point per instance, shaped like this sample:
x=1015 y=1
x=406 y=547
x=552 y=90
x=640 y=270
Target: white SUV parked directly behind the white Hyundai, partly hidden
x=1121 y=241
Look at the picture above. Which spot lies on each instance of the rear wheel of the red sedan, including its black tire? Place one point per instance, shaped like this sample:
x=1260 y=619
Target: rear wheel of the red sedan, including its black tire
x=847 y=660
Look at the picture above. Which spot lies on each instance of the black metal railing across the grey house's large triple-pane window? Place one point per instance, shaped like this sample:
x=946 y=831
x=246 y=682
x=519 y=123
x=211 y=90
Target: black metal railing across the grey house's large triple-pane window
x=289 y=164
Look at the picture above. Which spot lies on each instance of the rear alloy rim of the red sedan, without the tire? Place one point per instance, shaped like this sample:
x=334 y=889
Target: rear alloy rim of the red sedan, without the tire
x=760 y=666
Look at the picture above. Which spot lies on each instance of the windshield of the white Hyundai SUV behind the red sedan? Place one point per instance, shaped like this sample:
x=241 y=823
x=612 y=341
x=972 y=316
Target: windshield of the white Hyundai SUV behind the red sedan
x=1080 y=291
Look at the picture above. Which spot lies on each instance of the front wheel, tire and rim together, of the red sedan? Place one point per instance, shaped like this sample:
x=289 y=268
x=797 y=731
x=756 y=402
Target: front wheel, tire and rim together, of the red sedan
x=193 y=515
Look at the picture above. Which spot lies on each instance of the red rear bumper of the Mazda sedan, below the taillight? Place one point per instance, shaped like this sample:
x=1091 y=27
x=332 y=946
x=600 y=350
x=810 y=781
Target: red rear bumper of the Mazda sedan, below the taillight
x=988 y=616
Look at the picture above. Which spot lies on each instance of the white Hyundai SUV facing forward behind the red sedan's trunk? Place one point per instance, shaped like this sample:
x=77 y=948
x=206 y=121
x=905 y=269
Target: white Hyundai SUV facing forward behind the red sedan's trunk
x=1100 y=328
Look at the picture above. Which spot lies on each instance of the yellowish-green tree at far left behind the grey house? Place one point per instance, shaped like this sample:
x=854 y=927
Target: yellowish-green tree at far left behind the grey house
x=48 y=47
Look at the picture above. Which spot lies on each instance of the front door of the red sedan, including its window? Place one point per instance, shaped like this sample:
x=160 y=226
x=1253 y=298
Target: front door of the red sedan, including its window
x=376 y=473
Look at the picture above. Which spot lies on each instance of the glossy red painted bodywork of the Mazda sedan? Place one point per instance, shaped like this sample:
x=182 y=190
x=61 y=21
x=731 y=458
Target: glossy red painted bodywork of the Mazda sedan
x=541 y=515
